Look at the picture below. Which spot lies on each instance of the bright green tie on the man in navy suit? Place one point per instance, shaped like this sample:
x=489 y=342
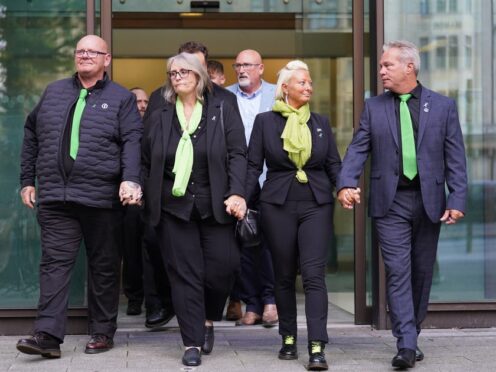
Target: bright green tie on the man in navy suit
x=407 y=139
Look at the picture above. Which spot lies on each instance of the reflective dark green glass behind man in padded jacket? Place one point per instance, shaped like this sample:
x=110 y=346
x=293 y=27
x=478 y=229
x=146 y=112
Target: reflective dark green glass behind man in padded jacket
x=36 y=43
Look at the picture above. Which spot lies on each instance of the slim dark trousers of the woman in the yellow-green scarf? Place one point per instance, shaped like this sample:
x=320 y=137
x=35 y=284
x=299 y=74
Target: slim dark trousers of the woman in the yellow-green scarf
x=299 y=231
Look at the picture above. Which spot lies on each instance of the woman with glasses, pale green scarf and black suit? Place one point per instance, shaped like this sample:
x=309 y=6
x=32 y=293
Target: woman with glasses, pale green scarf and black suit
x=194 y=157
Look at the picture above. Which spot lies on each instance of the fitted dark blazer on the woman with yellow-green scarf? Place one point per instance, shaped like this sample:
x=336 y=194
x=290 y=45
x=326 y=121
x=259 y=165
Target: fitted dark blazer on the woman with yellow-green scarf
x=266 y=144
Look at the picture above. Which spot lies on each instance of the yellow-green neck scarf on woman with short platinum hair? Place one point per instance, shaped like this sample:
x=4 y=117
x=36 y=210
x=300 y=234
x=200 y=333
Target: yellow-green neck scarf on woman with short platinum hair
x=297 y=139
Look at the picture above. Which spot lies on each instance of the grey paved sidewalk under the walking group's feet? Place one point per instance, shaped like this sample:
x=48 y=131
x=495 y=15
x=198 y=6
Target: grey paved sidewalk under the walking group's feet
x=351 y=348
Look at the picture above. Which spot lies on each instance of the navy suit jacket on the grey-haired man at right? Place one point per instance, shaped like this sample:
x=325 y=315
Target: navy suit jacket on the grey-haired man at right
x=440 y=154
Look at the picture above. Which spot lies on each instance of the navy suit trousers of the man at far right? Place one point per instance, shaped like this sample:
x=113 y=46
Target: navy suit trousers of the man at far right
x=408 y=241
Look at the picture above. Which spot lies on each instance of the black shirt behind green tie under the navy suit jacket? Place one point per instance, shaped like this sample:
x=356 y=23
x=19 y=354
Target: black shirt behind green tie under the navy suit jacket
x=414 y=107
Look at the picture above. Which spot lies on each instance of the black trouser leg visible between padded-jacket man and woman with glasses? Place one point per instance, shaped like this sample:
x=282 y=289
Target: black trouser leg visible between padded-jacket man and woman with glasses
x=132 y=265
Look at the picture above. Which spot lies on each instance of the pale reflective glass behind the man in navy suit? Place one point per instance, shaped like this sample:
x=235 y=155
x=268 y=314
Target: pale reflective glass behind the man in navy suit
x=456 y=39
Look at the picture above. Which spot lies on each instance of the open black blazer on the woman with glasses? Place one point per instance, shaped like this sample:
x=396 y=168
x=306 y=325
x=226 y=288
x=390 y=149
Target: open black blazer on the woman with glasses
x=226 y=157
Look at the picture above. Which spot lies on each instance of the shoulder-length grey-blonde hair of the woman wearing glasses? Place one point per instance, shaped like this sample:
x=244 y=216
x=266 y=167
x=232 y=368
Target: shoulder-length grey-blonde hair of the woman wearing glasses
x=191 y=62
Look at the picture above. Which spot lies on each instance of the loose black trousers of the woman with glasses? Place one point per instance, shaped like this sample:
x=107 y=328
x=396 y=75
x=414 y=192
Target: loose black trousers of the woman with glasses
x=201 y=257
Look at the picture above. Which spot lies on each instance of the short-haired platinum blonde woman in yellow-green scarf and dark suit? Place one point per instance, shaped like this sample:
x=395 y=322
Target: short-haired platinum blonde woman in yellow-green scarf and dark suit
x=296 y=204
